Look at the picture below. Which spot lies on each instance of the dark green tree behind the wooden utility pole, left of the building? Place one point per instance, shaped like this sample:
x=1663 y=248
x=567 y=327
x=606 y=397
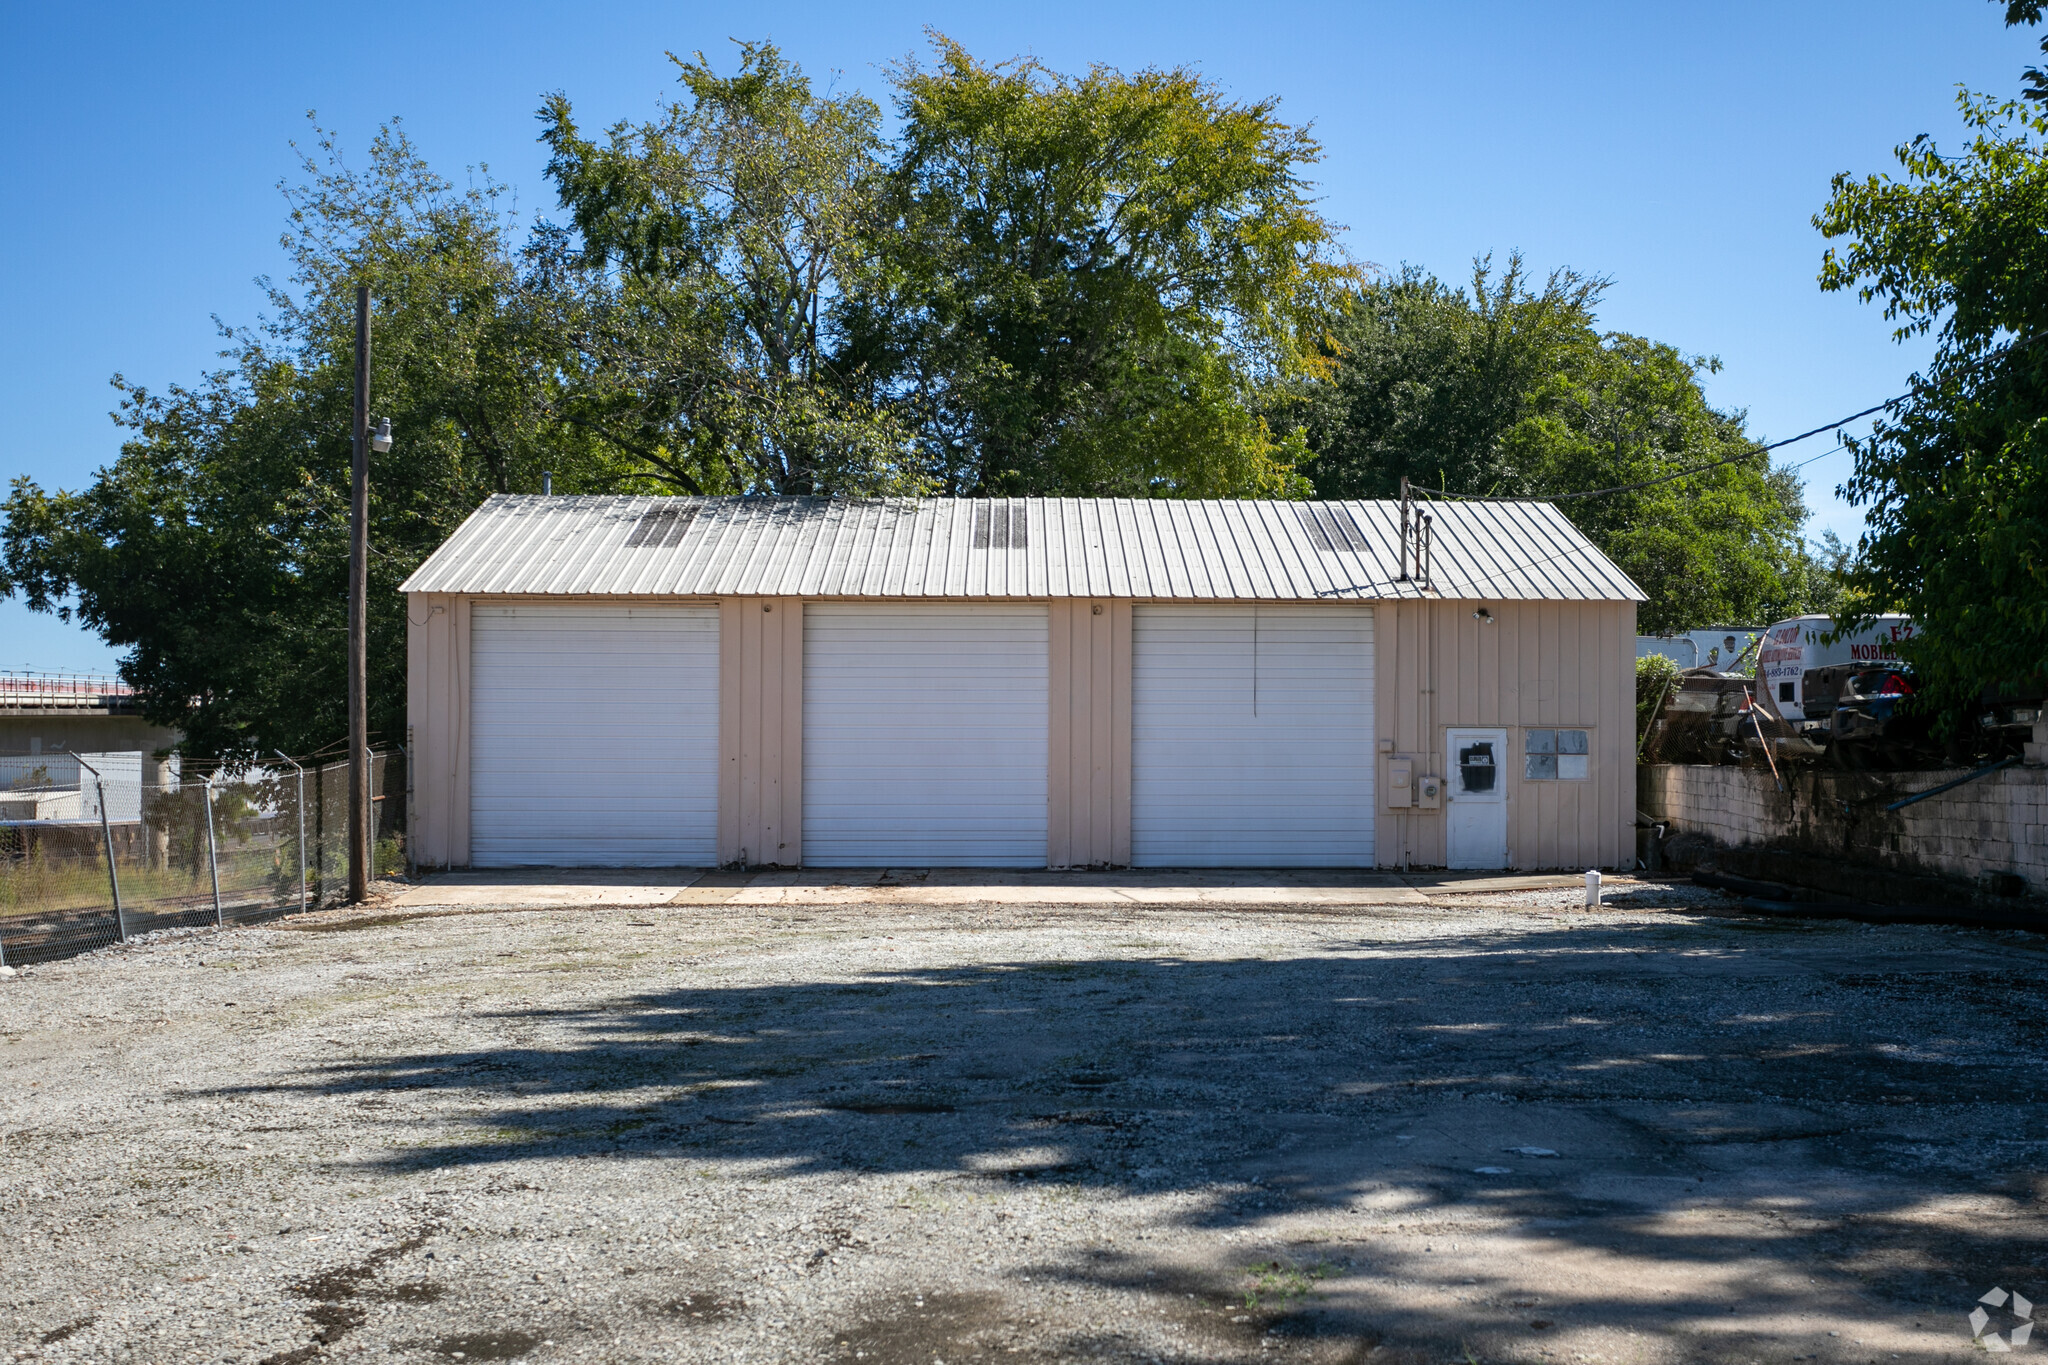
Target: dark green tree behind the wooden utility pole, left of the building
x=216 y=547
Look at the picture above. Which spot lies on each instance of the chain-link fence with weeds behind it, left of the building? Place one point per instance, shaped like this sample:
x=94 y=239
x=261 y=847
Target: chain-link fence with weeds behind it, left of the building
x=99 y=858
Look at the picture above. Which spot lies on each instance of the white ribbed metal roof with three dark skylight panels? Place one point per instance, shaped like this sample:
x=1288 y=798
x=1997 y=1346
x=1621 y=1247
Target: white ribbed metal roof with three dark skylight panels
x=1013 y=547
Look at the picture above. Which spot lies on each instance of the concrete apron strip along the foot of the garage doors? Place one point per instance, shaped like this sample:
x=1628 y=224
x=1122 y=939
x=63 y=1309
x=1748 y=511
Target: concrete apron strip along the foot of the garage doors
x=654 y=887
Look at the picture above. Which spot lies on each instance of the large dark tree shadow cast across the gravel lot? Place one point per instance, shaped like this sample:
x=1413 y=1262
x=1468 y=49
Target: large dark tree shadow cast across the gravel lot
x=1779 y=1108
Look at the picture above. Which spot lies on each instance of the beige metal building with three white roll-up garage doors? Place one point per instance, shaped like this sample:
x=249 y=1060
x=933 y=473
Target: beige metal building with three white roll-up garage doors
x=1019 y=685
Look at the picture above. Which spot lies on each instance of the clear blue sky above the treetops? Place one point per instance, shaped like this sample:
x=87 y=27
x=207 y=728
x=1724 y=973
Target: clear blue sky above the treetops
x=1680 y=150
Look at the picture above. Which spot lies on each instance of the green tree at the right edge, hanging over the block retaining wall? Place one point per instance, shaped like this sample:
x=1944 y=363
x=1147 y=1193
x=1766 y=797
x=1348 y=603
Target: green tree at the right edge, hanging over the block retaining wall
x=1955 y=480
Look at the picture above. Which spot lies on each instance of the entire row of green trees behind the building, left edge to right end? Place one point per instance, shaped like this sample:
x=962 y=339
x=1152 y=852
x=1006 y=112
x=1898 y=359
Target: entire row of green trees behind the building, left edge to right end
x=1031 y=283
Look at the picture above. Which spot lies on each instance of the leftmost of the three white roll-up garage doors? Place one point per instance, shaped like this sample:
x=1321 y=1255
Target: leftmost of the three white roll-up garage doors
x=595 y=736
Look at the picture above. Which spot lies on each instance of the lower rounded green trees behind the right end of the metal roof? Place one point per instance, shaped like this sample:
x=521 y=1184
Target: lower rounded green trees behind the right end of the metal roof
x=1510 y=390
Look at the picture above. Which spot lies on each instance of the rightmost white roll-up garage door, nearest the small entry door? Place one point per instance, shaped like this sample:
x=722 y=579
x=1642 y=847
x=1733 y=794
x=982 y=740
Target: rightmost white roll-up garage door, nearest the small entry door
x=1252 y=736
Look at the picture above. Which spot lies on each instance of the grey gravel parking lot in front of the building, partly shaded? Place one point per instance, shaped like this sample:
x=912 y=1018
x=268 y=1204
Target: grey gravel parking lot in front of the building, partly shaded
x=1465 y=1129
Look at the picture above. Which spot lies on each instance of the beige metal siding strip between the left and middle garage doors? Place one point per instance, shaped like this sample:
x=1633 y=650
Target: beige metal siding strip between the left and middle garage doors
x=761 y=732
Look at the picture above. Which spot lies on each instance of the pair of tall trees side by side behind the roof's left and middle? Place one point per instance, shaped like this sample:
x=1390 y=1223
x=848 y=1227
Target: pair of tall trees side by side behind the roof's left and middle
x=1043 y=285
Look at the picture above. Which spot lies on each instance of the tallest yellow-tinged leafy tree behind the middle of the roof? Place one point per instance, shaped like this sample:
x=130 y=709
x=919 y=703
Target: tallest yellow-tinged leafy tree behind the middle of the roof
x=1089 y=285
